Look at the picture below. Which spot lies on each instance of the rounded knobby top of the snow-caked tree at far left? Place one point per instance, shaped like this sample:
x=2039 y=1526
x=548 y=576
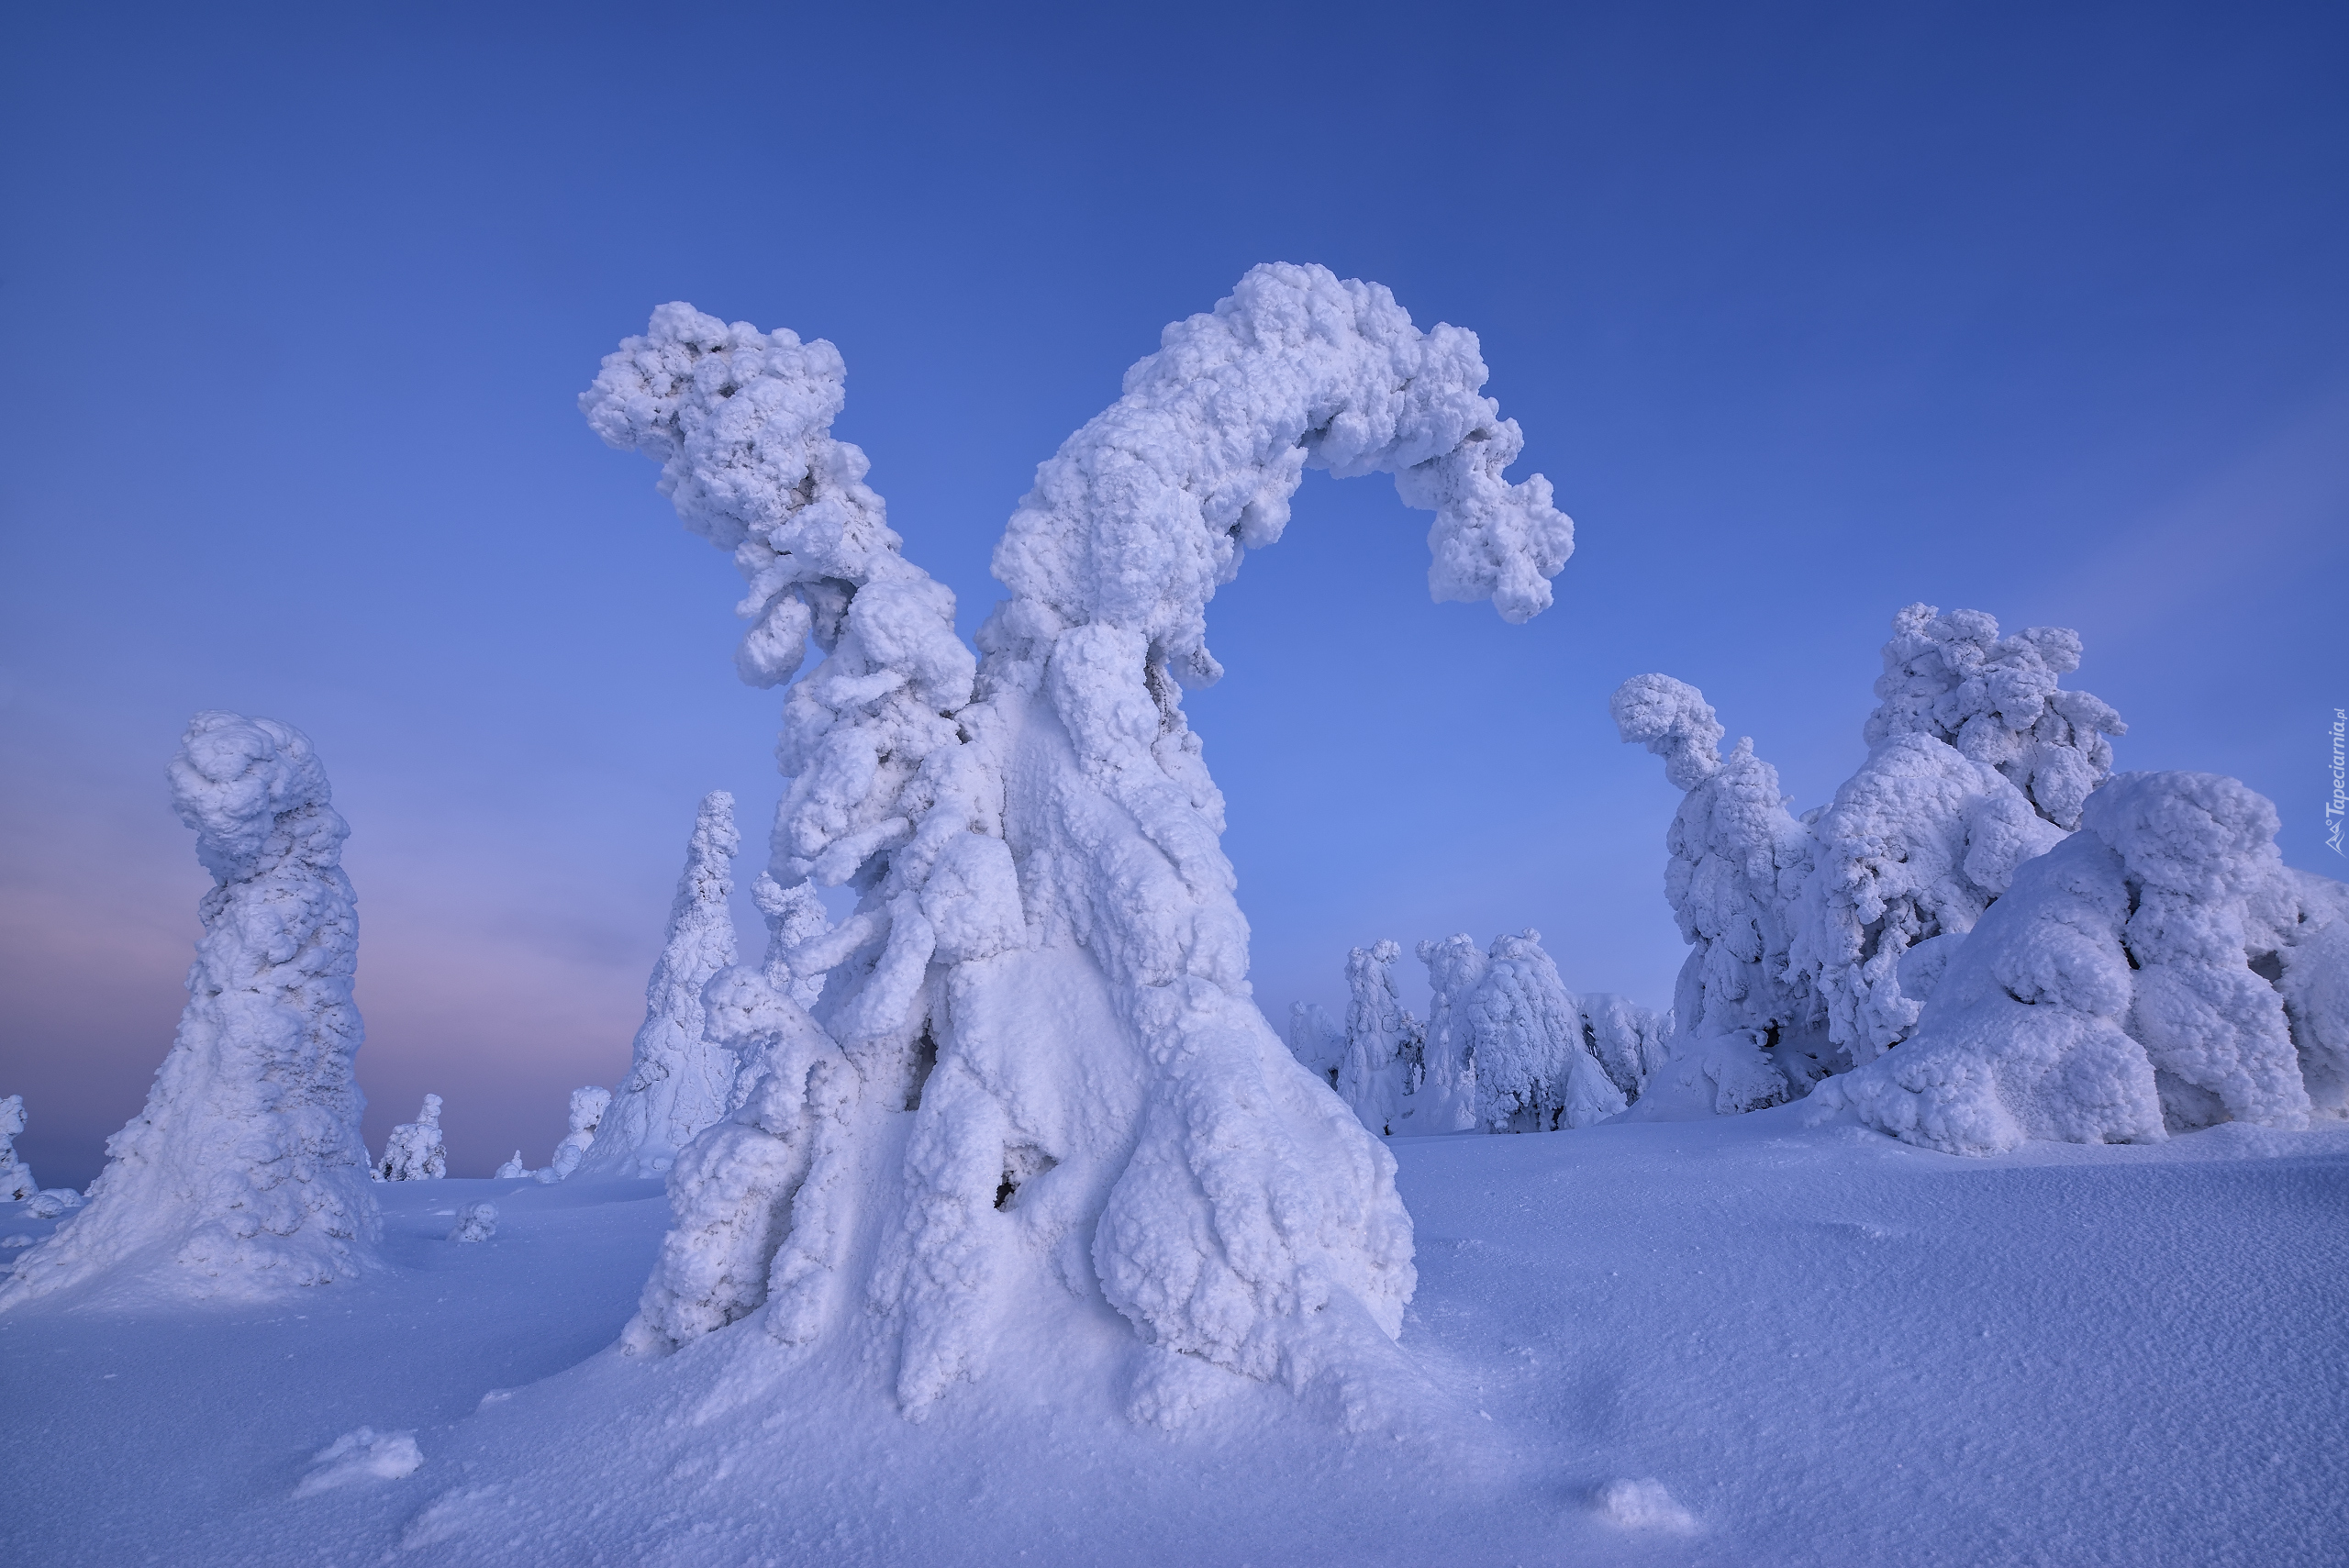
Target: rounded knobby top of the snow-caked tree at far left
x=255 y=795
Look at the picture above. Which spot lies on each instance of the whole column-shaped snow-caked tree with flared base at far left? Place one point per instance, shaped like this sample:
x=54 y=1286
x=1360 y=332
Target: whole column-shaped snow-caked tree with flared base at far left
x=245 y=1168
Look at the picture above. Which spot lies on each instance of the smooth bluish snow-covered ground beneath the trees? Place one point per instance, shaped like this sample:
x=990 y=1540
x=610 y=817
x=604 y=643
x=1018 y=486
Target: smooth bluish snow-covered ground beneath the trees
x=1730 y=1341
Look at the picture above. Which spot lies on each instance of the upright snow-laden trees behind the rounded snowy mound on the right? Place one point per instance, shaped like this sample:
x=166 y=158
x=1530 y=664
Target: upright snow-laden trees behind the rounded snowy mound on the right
x=1817 y=940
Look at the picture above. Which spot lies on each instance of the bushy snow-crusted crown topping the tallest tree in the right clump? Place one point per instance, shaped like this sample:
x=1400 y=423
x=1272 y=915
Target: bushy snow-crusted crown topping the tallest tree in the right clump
x=1995 y=698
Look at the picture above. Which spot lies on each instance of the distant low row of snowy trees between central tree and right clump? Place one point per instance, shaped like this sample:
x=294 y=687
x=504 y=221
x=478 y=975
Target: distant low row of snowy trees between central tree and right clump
x=1507 y=1046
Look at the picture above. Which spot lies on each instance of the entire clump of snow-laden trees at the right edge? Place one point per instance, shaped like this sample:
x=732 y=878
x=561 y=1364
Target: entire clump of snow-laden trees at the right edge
x=2057 y=952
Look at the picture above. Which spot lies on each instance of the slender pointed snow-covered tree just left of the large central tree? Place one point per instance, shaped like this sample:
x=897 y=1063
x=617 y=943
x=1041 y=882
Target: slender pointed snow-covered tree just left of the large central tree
x=680 y=1081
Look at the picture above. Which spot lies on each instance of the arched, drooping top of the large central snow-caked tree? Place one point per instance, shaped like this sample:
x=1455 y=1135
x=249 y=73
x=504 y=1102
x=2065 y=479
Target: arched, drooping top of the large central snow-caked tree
x=1147 y=511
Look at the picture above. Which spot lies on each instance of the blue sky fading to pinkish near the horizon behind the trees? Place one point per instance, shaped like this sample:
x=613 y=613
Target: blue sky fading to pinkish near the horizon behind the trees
x=1805 y=311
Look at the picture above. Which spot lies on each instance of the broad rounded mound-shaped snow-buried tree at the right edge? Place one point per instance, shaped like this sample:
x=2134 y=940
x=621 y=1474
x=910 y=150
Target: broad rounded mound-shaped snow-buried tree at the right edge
x=2127 y=987
